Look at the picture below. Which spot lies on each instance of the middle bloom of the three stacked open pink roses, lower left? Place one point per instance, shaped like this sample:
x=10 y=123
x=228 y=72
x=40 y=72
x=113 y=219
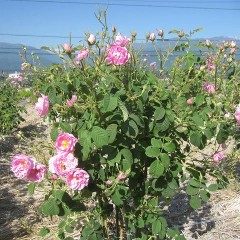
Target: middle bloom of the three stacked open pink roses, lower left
x=62 y=163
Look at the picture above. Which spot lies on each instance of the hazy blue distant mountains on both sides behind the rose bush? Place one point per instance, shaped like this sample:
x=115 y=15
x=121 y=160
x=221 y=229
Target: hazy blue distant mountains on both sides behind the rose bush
x=10 y=60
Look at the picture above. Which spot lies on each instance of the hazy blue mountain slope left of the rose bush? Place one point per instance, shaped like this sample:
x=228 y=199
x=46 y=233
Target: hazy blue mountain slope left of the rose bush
x=10 y=60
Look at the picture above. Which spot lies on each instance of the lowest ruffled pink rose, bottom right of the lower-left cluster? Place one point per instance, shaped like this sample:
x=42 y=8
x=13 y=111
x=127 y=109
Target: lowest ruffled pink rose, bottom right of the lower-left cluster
x=77 y=179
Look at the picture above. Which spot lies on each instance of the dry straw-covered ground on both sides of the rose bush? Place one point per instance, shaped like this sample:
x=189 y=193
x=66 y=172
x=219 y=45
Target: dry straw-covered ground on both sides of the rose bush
x=19 y=217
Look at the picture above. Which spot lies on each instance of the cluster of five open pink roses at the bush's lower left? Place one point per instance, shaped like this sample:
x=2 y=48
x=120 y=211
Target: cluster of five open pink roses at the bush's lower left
x=63 y=164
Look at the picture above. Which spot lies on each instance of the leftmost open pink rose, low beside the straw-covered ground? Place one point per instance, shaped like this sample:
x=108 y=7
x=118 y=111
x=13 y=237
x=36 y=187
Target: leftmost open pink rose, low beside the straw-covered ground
x=22 y=165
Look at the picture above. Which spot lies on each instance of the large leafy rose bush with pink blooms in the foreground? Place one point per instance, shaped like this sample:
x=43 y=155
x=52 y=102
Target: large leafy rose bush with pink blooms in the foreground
x=124 y=146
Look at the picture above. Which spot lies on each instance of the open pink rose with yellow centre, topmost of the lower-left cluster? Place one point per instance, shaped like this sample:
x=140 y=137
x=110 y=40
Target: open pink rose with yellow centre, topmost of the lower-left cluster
x=65 y=142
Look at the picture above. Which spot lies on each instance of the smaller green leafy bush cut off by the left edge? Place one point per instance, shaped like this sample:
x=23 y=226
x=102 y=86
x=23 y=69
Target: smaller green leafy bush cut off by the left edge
x=10 y=109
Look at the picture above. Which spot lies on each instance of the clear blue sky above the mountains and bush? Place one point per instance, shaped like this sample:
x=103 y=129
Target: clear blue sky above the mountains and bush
x=48 y=18
